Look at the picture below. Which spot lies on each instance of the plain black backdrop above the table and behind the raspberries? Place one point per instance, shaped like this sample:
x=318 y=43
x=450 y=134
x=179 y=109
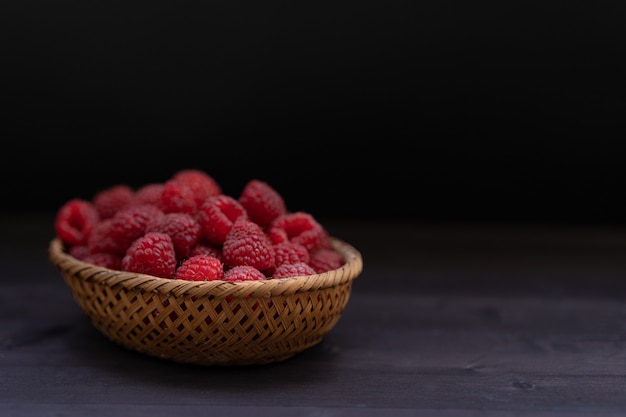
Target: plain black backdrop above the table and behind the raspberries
x=429 y=111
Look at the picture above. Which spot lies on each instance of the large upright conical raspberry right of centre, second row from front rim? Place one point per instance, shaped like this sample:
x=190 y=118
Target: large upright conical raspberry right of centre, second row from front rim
x=247 y=244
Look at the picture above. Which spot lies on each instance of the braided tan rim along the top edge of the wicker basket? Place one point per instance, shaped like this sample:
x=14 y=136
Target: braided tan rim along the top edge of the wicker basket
x=351 y=269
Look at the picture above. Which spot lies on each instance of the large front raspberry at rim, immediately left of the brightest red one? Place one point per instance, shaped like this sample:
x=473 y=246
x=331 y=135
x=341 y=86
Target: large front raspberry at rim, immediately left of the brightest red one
x=152 y=254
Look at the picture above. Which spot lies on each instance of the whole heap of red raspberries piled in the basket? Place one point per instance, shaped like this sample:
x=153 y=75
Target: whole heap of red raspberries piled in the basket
x=187 y=228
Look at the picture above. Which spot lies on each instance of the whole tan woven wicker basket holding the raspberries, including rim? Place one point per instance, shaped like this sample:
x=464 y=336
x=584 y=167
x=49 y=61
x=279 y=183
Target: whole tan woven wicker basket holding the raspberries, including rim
x=211 y=322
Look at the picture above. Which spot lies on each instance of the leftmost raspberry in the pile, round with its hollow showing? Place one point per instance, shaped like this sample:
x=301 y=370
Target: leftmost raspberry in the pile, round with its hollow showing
x=75 y=220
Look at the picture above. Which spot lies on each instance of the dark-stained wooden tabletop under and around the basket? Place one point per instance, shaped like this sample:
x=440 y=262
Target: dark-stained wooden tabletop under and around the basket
x=445 y=320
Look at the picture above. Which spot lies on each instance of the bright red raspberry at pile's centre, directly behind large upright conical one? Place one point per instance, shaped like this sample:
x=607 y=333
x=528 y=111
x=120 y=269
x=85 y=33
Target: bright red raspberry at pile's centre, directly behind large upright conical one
x=217 y=216
